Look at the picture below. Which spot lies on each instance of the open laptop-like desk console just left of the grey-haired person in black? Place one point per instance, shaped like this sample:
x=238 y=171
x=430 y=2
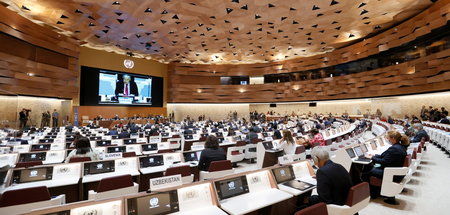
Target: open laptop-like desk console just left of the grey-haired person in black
x=285 y=176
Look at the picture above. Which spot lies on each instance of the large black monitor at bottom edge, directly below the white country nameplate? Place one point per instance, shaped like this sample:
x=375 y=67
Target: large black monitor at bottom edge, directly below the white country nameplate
x=157 y=204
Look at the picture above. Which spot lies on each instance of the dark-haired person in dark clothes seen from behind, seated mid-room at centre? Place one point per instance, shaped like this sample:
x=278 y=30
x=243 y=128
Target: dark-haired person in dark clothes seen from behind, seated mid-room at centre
x=211 y=153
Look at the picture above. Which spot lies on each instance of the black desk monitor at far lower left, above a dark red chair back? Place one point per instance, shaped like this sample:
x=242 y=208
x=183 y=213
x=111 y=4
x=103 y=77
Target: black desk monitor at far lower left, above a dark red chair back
x=32 y=175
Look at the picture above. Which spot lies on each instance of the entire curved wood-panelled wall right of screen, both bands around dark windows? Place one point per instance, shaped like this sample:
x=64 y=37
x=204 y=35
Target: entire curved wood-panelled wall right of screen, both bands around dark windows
x=430 y=73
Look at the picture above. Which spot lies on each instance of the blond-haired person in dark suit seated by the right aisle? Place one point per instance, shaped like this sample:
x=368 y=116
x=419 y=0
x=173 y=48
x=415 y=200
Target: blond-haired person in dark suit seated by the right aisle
x=394 y=156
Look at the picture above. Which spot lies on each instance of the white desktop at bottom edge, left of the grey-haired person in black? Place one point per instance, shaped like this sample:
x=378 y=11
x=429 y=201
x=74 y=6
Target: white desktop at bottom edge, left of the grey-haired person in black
x=249 y=202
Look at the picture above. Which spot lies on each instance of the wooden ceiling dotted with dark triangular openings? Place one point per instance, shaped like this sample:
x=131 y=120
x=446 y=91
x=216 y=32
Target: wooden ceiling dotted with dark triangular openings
x=218 y=31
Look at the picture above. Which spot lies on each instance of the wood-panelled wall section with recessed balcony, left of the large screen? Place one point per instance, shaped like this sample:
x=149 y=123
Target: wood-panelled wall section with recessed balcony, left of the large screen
x=28 y=48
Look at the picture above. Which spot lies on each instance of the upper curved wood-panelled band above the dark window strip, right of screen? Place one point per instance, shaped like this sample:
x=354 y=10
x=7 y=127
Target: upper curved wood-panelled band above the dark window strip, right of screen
x=434 y=17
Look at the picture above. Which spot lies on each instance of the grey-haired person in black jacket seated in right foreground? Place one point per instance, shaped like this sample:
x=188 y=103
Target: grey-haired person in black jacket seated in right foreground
x=333 y=180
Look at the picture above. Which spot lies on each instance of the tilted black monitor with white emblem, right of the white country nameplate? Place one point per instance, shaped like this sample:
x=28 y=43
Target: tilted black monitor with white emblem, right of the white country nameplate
x=231 y=187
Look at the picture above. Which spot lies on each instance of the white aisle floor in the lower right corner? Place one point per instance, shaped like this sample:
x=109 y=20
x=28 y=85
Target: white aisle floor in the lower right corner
x=428 y=192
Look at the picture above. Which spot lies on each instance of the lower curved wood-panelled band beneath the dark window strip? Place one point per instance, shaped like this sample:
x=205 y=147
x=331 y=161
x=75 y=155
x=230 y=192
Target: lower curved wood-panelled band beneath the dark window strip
x=427 y=74
